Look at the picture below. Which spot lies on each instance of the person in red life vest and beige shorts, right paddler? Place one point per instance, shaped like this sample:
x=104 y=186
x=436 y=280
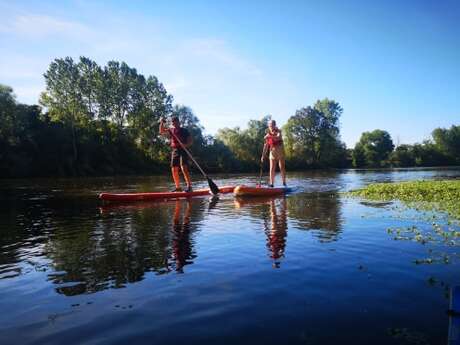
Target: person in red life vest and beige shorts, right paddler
x=274 y=141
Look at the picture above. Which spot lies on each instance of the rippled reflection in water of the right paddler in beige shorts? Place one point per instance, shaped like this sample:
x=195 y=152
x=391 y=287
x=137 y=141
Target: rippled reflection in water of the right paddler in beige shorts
x=277 y=230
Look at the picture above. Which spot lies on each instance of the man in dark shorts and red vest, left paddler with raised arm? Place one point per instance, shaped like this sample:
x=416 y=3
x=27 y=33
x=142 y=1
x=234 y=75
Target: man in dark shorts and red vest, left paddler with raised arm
x=179 y=157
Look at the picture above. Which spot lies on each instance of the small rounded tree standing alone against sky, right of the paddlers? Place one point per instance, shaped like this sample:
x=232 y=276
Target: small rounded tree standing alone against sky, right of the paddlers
x=373 y=149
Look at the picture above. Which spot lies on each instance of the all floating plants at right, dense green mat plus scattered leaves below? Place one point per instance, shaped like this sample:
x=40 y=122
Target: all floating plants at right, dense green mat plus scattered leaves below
x=432 y=200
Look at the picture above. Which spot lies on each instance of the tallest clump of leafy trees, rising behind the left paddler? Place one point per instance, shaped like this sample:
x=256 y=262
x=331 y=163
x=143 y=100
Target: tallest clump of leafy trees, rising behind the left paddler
x=111 y=105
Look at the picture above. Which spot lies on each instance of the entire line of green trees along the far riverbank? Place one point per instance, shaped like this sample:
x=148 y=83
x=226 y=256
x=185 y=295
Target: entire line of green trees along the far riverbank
x=103 y=120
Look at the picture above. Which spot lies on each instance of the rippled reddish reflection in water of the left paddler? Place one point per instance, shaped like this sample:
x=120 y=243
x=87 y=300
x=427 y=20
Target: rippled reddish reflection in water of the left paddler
x=181 y=246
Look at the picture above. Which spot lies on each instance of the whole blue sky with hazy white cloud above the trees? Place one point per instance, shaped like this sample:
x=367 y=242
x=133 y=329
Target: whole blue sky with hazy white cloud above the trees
x=392 y=65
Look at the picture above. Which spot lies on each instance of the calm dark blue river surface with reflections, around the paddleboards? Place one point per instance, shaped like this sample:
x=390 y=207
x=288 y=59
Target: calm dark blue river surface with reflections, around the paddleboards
x=313 y=267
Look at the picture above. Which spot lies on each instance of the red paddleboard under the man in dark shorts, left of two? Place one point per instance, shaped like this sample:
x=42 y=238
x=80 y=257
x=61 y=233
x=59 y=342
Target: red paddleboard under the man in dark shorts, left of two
x=131 y=197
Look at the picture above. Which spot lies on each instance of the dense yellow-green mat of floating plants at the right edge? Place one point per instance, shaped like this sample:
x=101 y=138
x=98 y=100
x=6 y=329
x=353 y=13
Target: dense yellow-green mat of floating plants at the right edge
x=441 y=196
